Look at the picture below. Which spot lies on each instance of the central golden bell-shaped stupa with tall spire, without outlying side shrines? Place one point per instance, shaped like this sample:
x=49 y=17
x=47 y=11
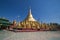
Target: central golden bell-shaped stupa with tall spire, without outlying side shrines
x=30 y=22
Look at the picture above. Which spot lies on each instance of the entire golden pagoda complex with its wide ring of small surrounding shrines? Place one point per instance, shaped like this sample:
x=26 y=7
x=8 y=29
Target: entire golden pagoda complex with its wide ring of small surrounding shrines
x=31 y=24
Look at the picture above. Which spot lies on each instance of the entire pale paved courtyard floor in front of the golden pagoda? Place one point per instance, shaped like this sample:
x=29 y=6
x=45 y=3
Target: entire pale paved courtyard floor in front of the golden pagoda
x=42 y=35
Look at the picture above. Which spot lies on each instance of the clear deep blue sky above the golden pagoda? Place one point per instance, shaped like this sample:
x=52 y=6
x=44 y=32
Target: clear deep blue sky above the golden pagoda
x=45 y=10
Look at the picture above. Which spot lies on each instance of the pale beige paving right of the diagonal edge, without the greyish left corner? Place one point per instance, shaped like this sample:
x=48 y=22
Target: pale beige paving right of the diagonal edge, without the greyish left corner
x=34 y=36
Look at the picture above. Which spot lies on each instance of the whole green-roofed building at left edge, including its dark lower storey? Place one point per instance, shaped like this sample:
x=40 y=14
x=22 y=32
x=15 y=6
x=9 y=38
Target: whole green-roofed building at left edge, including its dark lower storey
x=4 y=23
